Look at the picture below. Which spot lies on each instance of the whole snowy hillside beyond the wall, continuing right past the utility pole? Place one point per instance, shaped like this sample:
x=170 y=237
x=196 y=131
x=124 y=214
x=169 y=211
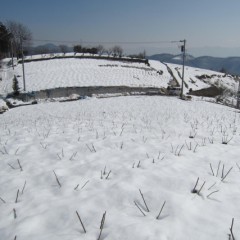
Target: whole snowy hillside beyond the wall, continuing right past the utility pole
x=73 y=72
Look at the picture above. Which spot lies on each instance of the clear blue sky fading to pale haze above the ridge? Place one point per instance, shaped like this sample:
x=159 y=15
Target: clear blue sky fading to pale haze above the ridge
x=211 y=27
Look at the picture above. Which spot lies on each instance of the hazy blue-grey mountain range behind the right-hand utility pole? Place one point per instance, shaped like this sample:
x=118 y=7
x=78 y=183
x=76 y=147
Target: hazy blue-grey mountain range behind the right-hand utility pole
x=230 y=65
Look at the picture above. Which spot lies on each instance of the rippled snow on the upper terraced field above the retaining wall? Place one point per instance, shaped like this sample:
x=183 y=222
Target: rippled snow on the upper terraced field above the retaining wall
x=88 y=72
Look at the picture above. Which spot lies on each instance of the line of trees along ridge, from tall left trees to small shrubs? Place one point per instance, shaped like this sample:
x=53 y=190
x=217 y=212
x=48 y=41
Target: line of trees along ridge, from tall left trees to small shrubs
x=15 y=39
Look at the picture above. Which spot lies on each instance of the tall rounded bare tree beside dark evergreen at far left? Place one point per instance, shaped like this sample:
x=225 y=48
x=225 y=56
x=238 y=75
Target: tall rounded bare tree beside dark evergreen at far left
x=20 y=35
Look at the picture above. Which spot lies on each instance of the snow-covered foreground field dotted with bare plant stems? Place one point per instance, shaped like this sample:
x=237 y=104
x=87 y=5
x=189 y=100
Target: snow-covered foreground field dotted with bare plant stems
x=102 y=152
